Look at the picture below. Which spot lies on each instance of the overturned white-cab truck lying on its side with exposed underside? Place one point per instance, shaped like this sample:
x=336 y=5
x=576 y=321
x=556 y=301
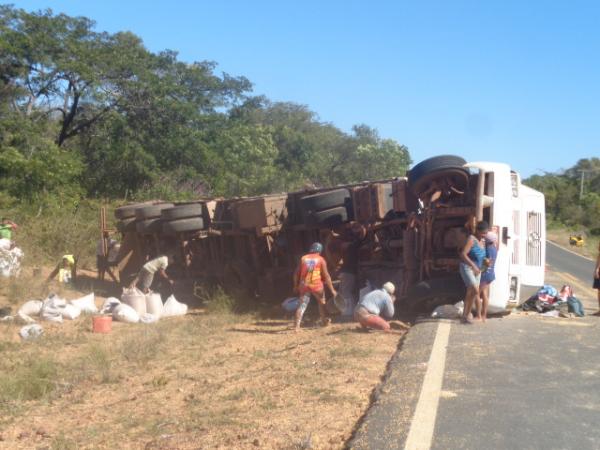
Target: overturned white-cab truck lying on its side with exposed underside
x=414 y=228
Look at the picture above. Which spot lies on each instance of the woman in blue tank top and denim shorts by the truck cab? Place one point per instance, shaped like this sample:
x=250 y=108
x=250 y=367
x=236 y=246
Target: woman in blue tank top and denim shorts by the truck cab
x=471 y=256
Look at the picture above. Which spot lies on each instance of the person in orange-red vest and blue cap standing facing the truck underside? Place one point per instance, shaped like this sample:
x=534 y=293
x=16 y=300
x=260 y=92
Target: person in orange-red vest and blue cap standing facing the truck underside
x=308 y=281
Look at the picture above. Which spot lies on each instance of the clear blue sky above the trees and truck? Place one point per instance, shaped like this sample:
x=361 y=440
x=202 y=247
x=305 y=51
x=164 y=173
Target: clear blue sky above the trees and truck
x=516 y=82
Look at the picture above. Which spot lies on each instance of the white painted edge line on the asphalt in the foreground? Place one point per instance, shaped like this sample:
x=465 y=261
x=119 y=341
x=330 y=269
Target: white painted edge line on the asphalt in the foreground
x=420 y=435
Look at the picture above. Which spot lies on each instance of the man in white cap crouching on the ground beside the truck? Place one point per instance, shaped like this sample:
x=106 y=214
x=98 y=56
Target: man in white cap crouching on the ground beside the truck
x=375 y=307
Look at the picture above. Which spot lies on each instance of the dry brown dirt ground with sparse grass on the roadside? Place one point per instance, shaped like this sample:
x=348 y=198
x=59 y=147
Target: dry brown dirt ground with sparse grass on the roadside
x=217 y=380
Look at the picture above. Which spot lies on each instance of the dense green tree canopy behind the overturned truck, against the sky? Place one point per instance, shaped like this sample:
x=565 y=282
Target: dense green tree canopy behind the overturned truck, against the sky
x=89 y=113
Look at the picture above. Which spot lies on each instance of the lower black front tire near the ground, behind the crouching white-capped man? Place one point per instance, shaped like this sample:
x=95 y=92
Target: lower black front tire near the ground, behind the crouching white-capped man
x=427 y=295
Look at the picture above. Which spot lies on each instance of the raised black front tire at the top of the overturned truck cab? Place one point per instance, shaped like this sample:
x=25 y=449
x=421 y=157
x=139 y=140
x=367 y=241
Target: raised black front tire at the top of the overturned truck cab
x=420 y=176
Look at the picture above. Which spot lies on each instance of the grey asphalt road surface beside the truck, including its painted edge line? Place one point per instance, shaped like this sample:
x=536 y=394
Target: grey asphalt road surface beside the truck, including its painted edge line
x=522 y=381
